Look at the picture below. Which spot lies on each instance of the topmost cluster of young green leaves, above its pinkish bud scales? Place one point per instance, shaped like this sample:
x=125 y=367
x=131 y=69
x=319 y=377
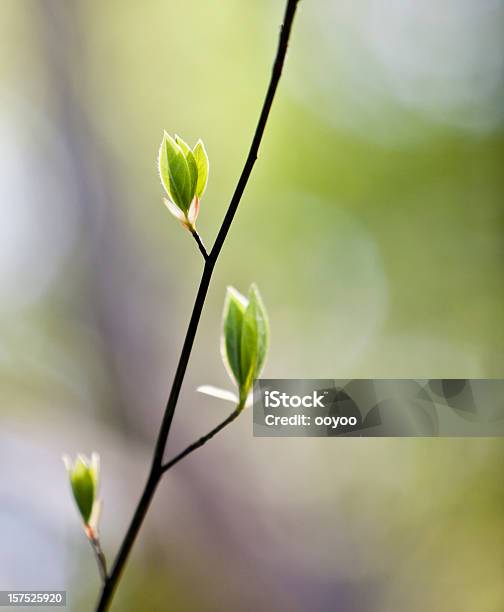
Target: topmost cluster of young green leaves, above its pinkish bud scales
x=183 y=171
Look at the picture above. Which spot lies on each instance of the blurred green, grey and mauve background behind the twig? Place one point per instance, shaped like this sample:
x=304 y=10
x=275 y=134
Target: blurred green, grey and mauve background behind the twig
x=373 y=226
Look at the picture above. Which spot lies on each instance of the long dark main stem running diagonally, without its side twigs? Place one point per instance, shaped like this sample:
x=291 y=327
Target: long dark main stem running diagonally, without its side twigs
x=157 y=470
